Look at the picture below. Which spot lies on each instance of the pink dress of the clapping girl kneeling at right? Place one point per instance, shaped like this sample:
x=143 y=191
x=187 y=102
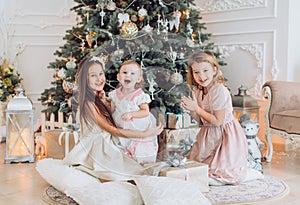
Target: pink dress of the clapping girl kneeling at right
x=223 y=148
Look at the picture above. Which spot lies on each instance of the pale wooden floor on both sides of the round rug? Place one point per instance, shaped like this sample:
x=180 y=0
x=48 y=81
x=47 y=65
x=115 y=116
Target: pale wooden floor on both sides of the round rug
x=20 y=183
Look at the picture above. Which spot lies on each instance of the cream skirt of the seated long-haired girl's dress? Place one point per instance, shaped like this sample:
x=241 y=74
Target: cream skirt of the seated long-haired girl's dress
x=97 y=154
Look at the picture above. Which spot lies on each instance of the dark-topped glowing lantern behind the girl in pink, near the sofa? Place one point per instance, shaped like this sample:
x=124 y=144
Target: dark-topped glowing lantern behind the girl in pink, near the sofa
x=245 y=104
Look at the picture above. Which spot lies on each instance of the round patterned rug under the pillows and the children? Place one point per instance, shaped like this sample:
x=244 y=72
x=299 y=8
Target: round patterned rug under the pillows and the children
x=256 y=191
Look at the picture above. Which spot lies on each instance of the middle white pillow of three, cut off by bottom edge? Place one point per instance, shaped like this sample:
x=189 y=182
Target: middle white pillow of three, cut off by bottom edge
x=109 y=193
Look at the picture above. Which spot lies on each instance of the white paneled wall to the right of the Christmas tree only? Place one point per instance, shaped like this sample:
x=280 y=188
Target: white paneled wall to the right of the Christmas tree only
x=257 y=38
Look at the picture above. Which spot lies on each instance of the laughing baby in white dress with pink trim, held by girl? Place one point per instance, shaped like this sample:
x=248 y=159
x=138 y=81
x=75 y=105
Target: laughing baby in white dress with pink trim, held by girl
x=130 y=110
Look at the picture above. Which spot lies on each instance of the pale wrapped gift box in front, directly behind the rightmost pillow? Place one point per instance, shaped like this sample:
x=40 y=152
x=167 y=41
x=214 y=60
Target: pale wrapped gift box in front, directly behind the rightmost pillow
x=193 y=171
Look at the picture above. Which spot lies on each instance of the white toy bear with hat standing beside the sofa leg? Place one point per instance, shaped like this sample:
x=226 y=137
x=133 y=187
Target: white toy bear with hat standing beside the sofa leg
x=251 y=128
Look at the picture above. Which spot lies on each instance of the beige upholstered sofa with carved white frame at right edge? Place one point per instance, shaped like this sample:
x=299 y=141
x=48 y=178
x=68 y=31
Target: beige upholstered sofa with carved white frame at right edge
x=283 y=112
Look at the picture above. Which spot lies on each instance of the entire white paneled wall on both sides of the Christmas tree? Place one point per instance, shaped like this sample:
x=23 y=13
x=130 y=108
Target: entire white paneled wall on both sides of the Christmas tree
x=259 y=39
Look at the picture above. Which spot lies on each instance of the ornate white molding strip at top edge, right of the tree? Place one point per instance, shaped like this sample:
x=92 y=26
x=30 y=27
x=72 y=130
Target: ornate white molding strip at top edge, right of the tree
x=212 y=6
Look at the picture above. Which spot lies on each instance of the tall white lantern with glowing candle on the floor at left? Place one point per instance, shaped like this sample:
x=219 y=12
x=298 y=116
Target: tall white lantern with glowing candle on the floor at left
x=19 y=129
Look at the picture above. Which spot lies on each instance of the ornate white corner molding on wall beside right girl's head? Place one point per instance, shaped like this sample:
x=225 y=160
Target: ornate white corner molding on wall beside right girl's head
x=256 y=50
